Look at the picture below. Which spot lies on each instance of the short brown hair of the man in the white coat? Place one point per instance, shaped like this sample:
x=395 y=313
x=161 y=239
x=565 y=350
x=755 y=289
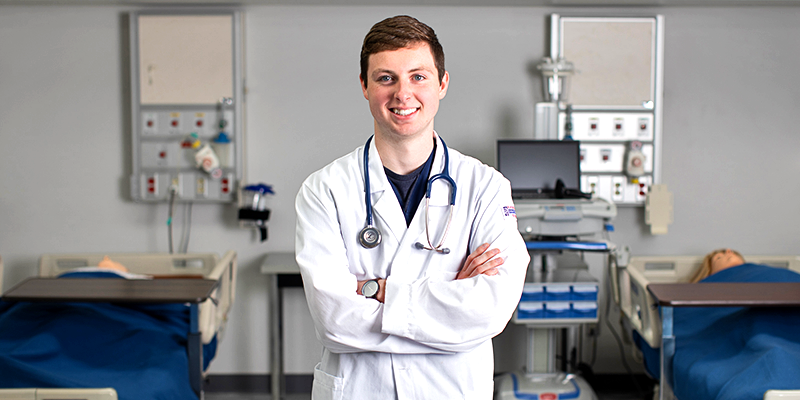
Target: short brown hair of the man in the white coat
x=396 y=33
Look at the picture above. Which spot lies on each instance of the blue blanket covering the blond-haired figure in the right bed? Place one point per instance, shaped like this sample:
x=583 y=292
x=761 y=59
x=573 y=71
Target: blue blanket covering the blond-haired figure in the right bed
x=734 y=353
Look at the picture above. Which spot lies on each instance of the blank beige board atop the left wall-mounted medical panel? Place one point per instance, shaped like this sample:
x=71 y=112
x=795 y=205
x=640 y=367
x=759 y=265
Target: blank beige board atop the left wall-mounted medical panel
x=185 y=59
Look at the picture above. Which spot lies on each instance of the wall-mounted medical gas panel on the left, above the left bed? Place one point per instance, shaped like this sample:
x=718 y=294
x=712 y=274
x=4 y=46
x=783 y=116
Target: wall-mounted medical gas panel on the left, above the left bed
x=186 y=96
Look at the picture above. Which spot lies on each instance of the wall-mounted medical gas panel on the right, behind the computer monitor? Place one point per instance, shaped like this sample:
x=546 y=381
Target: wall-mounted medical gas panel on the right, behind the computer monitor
x=615 y=102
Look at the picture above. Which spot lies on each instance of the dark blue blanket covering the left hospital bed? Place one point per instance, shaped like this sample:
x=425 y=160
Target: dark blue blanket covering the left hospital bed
x=138 y=349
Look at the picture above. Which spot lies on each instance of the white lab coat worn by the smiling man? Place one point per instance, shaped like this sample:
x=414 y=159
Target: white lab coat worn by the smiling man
x=431 y=339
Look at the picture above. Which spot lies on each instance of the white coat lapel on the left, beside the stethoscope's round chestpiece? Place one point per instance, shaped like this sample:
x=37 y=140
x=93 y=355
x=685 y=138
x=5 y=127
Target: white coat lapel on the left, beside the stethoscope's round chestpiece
x=385 y=205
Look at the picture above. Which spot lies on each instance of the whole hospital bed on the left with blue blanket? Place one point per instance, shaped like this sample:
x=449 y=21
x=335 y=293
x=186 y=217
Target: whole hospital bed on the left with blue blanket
x=159 y=291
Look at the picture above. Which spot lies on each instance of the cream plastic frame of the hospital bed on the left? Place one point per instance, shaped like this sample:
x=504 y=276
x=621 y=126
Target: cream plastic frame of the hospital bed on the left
x=209 y=317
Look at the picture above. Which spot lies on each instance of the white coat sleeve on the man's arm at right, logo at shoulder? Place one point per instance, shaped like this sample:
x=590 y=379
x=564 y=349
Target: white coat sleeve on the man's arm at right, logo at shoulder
x=458 y=315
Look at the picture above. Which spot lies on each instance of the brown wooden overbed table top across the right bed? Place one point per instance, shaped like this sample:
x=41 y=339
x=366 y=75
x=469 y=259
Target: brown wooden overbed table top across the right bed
x=726 y=294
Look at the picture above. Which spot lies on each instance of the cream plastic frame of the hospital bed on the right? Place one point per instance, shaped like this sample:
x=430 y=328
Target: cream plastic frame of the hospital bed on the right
x=639 y=305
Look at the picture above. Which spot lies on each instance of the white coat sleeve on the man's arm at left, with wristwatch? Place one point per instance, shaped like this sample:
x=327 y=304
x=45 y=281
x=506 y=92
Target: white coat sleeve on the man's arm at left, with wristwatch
x=345 y=321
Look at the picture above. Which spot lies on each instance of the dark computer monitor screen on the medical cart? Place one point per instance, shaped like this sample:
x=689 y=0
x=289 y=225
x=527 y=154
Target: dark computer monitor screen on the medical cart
x=533 y=166
